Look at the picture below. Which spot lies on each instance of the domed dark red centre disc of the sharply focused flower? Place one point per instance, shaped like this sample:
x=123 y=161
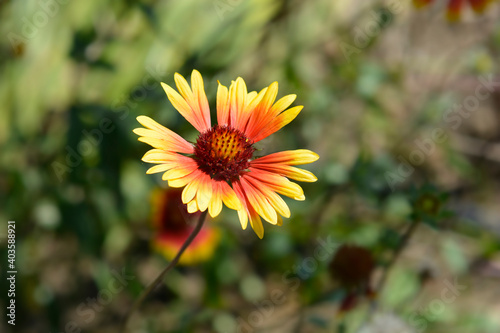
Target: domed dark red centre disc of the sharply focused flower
x=223 y=152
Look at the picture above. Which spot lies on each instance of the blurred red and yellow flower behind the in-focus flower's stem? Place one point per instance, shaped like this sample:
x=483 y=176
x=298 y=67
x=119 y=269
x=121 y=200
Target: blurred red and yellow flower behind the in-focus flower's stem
x=172 y=226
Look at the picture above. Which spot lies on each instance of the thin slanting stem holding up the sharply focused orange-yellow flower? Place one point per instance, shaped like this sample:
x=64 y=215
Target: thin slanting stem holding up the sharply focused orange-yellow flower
x=171 y=265
